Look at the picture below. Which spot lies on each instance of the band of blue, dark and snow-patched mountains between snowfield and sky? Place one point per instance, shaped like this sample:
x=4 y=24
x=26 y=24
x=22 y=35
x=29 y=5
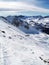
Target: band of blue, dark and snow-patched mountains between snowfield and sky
x=27 y=23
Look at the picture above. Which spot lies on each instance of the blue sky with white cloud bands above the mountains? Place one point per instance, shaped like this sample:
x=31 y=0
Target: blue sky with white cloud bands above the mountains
x=24 y=7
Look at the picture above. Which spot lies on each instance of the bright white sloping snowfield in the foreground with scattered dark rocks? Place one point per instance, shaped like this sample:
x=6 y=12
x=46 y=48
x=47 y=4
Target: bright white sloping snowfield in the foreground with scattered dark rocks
x=17 y=48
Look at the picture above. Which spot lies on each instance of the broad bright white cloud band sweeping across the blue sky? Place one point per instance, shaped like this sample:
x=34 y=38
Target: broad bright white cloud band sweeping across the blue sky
x=20 y=6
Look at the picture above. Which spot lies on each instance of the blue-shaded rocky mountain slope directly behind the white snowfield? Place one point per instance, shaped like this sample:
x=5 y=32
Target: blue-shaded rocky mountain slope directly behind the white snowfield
x=21 y=23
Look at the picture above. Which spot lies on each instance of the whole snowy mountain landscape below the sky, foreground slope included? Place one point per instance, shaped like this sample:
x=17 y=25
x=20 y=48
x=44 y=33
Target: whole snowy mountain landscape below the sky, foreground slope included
x=22 y=41
